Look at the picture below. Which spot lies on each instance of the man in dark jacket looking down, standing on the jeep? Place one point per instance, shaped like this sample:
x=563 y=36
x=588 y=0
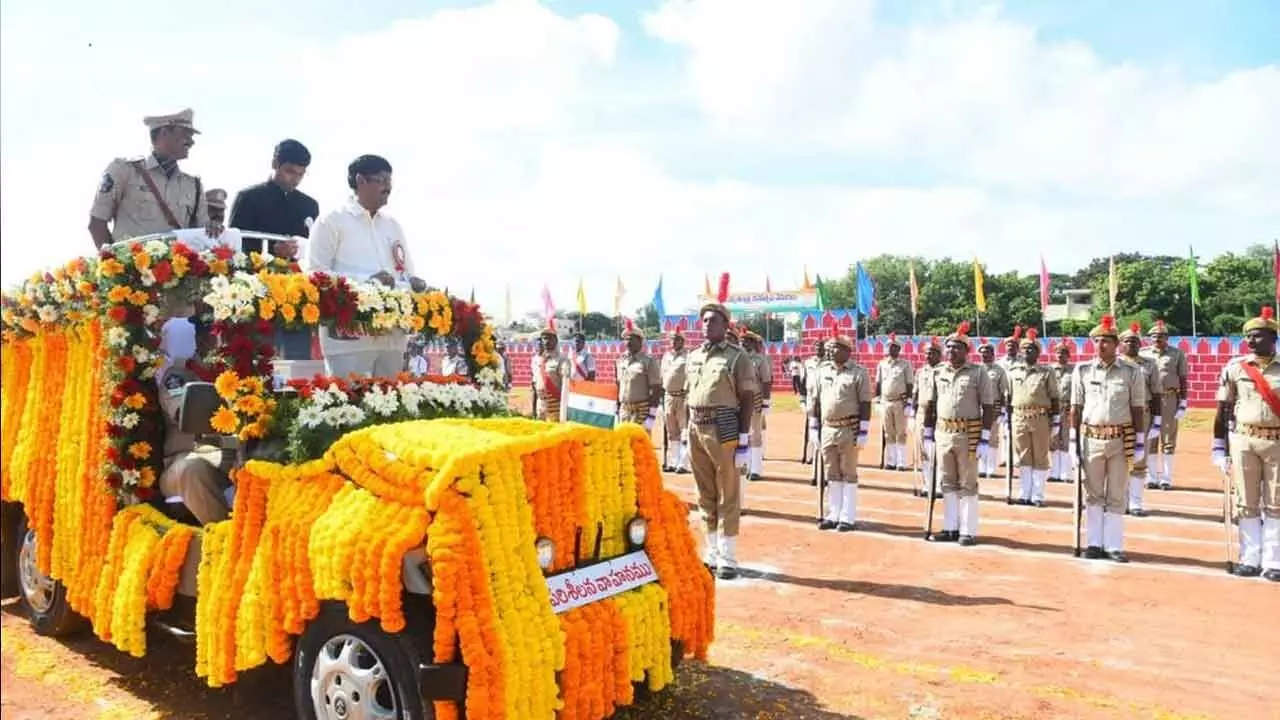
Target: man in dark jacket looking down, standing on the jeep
x=277 y=206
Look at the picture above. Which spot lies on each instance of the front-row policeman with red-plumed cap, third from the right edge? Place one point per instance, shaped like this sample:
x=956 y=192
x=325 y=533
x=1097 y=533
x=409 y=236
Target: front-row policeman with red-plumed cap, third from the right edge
x=959 y=409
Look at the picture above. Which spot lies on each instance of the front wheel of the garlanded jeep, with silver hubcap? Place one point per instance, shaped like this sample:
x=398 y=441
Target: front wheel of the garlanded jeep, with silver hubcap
x=345 y=671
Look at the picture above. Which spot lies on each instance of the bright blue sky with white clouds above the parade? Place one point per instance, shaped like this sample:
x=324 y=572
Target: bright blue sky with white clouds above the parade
x=543 y=143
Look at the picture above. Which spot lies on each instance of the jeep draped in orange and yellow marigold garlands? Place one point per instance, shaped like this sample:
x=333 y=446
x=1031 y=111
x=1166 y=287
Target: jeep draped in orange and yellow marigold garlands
x=410 y=548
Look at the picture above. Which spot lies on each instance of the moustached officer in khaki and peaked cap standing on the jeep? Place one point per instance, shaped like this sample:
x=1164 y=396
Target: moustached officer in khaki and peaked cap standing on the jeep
x=150 y=195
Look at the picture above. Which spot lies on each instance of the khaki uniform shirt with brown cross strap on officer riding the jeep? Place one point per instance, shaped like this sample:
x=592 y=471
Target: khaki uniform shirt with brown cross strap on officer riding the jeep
x=125 y=200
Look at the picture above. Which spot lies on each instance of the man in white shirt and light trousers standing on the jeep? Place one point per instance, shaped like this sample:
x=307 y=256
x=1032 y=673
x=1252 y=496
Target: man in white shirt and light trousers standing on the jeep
x=362 y=244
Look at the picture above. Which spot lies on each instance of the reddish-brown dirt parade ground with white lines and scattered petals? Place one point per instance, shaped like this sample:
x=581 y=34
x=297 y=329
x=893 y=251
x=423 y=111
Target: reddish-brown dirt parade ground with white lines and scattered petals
x=871 y=625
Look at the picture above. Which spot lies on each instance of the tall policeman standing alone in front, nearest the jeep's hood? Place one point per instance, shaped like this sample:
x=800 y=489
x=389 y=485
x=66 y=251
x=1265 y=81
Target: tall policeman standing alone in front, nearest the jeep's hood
x=721 y=386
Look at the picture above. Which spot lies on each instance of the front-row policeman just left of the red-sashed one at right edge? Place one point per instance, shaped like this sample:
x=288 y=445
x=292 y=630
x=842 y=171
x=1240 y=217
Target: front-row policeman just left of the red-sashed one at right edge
x=1109 y=400
